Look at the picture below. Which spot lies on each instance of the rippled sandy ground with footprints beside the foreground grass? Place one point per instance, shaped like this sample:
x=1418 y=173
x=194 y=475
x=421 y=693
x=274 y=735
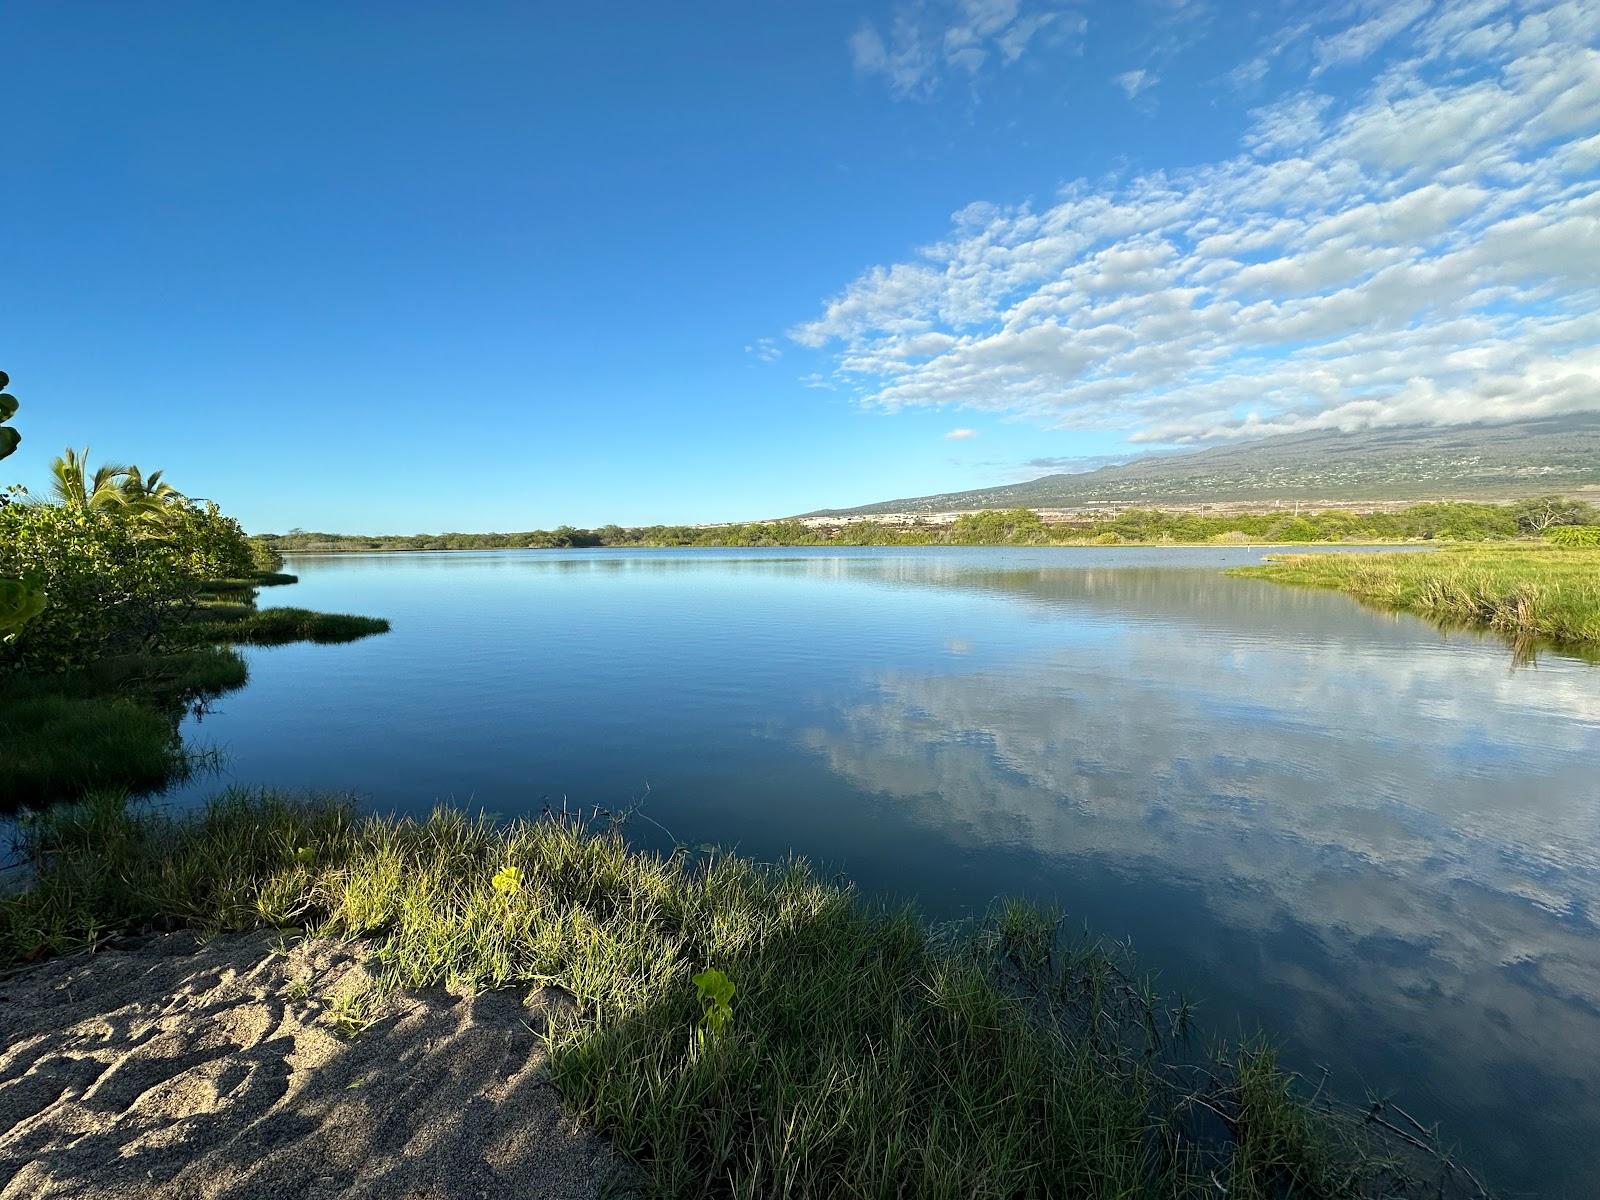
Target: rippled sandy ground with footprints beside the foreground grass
x=172 y=1070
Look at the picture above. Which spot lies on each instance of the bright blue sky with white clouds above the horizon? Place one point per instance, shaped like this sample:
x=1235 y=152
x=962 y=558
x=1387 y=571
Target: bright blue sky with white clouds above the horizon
x=393 y=268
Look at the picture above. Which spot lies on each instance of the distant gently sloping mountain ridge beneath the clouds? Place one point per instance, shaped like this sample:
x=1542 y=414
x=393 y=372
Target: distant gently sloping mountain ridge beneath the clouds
x=1412 y=463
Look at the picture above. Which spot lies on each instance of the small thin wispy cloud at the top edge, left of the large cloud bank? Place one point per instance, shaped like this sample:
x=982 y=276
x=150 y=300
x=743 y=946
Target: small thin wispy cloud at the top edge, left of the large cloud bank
x=932 y=39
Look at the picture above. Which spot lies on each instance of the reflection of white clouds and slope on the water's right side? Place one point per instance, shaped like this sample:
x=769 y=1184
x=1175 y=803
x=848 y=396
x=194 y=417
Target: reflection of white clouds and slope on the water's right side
x=1404 y=826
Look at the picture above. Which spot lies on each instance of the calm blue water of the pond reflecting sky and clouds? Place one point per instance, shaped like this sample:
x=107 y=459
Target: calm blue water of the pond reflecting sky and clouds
x=1380 y=842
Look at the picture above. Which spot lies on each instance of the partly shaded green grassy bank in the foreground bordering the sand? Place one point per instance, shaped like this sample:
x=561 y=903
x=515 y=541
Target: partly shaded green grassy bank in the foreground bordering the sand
x=862 y=1052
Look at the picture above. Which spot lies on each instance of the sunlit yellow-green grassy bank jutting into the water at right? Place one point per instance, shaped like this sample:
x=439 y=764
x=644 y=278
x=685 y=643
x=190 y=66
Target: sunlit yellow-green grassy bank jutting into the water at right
x=1524 y=591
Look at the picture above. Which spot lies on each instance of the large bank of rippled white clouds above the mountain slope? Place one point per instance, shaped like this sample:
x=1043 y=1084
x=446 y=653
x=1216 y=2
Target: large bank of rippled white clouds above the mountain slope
x=1428 y=250
